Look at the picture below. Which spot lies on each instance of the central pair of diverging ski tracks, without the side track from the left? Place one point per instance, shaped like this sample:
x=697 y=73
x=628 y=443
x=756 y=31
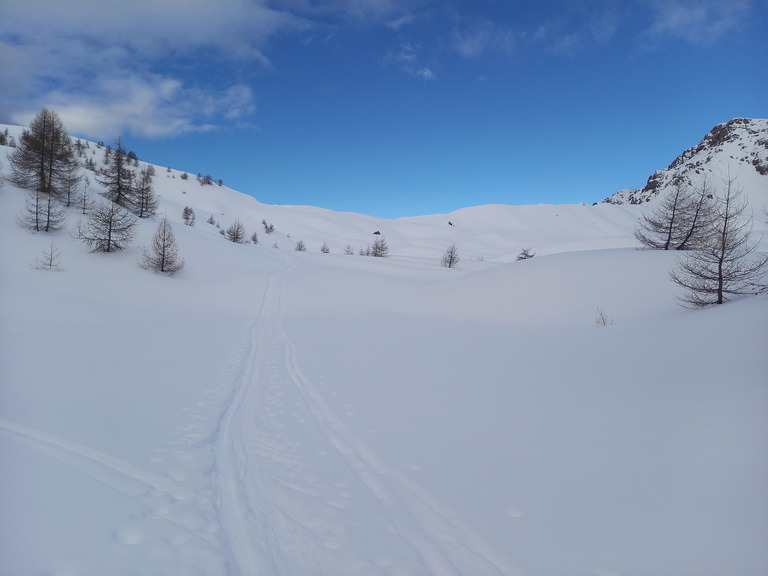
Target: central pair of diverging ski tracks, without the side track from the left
x=250 y=500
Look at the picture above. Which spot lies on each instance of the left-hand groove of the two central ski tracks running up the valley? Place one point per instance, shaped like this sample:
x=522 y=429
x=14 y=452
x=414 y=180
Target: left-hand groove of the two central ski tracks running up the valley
x=251 y=542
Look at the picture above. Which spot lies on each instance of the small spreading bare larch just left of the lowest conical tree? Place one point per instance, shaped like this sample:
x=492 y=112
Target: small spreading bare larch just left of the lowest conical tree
x=108 y=228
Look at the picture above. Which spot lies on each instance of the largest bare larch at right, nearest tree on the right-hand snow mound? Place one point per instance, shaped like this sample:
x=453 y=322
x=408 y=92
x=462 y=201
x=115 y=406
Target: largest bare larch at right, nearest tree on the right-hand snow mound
x=724 y=263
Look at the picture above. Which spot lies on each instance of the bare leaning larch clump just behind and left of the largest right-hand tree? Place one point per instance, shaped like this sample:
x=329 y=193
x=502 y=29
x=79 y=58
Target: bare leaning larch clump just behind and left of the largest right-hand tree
x=680 y=221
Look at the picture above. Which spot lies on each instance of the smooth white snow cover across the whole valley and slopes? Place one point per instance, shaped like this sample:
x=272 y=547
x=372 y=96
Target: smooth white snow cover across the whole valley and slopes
x=268 y=411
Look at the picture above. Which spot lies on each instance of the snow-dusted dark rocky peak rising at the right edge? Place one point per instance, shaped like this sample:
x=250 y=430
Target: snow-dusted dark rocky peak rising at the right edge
x=739 y=147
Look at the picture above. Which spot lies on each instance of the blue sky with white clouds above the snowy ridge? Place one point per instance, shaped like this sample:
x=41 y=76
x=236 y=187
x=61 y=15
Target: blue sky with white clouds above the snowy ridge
x=392 y=107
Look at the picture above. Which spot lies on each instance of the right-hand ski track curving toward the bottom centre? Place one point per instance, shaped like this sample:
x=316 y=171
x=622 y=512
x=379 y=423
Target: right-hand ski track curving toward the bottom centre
x=453 y=547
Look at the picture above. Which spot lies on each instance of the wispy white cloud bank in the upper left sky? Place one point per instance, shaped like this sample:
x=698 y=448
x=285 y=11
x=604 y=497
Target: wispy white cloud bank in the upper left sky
x=102 y=65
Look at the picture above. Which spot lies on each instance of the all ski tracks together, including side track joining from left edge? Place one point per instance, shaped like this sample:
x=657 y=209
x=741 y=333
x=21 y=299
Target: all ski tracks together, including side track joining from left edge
x=272 y=516
